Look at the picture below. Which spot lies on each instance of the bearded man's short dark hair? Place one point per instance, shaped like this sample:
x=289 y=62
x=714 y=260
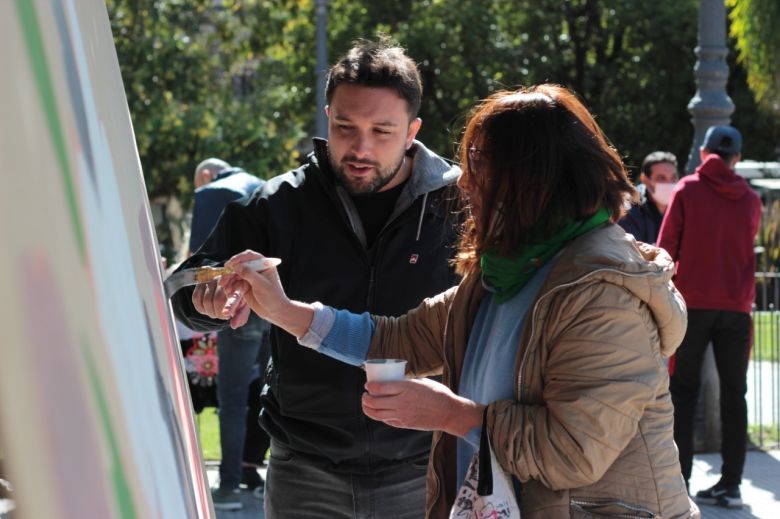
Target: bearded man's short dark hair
x=380 y=65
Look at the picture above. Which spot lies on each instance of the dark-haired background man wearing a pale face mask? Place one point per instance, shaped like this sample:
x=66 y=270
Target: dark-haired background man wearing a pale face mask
x=659 y=177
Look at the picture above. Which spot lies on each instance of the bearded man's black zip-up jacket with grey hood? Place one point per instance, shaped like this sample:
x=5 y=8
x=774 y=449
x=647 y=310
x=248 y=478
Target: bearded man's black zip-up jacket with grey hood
x=312 y=402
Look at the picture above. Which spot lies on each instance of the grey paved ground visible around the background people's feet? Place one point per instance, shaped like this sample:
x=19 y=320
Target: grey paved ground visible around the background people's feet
x=760 y=488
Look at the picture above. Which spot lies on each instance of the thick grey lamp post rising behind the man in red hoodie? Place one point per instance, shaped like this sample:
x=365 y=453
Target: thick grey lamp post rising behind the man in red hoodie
x=711 y=104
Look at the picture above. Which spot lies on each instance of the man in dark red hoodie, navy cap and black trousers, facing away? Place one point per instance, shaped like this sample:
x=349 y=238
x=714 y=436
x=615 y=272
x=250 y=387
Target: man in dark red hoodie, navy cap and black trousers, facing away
x=709 y=229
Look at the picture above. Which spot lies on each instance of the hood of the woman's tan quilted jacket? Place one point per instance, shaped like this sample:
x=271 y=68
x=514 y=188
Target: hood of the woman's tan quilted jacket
x=609 y=254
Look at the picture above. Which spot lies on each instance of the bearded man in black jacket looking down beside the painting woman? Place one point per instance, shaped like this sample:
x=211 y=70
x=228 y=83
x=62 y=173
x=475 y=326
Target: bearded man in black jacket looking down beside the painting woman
x=362 y=225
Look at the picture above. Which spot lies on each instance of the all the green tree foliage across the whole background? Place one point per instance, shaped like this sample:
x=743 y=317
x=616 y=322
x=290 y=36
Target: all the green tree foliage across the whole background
x=237 y=81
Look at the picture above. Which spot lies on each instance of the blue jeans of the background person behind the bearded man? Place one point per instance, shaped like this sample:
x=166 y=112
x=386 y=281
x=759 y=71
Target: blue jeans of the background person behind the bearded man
x=238 y=352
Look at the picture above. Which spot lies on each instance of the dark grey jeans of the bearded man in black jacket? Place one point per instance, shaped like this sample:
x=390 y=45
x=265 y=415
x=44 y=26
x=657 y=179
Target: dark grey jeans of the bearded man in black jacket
x=295 y=487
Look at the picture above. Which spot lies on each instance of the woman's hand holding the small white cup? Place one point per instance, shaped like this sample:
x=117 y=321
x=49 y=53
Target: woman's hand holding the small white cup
x=421 y=404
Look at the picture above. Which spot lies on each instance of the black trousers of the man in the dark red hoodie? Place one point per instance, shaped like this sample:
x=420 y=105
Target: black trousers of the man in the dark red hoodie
x=730 y=335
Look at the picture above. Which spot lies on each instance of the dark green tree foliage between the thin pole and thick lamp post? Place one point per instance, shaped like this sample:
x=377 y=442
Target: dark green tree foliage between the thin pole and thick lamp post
x=623 y=58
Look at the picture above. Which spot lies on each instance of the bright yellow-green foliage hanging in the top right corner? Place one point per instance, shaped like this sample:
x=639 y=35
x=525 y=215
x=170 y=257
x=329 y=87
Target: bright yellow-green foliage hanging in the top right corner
x=755 y=25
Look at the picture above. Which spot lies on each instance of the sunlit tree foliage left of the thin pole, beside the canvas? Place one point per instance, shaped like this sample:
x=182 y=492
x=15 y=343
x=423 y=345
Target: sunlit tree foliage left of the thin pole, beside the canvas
x=204 y=81
